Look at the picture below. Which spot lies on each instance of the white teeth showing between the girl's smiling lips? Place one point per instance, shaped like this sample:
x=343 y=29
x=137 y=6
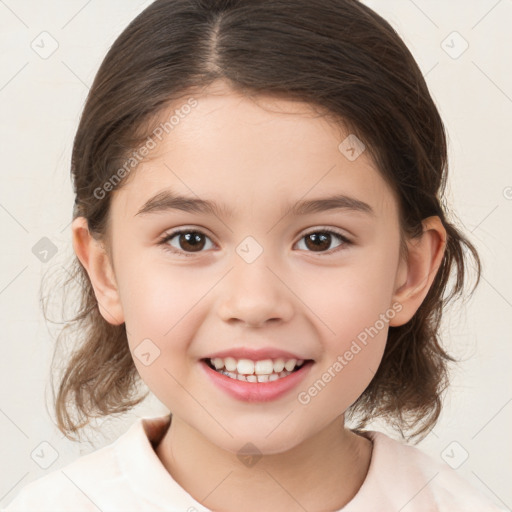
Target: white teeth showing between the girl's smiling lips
x=261 y=371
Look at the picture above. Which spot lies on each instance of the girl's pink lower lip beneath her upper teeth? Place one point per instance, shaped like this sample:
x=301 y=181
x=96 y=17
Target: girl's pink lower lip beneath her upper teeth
x=257 y=391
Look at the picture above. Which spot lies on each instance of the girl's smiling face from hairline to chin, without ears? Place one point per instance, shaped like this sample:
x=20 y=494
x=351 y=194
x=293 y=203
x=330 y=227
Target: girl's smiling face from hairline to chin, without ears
x=261 y=275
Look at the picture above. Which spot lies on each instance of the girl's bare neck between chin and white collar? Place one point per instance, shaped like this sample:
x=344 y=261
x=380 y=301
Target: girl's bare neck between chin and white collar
x=322 y=473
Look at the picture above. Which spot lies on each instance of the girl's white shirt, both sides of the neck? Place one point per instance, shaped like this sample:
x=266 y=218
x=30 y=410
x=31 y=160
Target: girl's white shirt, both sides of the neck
x=127 y=475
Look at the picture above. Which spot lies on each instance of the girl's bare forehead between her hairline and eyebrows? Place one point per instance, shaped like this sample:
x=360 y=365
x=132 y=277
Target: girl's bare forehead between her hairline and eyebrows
x=250 y=154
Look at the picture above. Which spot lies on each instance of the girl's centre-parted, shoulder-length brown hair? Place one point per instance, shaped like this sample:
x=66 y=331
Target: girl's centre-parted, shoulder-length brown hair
x=337 y=55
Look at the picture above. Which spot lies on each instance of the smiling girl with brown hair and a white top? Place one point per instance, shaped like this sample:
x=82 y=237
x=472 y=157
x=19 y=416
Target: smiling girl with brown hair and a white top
x=260 y=234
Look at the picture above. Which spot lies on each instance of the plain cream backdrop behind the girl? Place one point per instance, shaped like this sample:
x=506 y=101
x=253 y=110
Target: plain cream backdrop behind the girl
x=465 y=52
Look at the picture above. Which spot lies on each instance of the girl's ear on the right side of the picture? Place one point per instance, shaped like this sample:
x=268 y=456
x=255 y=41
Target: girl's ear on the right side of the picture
x=415 y=276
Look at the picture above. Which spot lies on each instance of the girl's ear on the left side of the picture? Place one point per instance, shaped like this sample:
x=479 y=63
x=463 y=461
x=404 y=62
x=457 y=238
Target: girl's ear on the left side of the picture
x=95 y=260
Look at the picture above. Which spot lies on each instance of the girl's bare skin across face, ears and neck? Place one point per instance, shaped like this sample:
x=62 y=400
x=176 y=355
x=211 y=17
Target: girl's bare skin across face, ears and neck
x=257 y=156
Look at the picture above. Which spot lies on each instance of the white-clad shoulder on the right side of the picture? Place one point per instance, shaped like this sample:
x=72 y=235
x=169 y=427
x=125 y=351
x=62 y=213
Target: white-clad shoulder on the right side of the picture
x=410 y=480
